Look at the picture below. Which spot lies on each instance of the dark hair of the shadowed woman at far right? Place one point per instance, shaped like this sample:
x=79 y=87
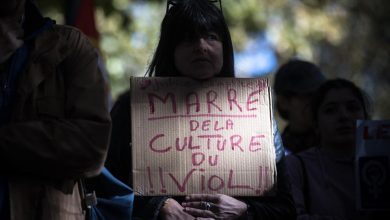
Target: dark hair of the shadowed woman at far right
x=339 y=83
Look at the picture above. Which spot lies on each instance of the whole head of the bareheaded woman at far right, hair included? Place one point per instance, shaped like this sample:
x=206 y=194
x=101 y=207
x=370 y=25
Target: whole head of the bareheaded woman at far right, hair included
x=336 y=106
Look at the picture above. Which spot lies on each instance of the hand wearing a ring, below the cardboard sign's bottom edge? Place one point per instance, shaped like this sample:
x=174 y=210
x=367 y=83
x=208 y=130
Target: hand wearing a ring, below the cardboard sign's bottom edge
x=219 y=206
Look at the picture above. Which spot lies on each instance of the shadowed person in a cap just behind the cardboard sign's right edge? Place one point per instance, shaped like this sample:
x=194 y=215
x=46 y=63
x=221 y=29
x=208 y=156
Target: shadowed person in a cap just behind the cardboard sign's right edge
x=295 y=82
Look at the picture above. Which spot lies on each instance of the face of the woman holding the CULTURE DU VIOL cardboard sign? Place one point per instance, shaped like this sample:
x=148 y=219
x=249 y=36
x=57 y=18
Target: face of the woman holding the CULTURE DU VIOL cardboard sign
x=201 y=58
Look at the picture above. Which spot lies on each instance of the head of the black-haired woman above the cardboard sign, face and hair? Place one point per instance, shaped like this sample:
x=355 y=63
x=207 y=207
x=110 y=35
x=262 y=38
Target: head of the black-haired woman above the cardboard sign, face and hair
x=194 y=42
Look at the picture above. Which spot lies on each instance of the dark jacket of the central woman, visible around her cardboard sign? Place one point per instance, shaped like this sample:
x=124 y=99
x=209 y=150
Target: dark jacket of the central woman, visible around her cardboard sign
x=119 y=163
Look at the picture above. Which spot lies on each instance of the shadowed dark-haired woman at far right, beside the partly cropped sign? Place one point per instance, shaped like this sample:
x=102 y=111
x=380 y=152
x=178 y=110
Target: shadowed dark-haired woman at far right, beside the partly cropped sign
x=323 y=177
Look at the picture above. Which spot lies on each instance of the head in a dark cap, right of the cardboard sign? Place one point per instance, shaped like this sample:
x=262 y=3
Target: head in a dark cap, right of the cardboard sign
x=295 y=82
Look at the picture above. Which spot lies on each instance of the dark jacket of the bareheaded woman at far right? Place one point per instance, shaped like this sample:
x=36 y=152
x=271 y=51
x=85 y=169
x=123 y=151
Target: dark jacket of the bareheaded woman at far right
x=324 y=186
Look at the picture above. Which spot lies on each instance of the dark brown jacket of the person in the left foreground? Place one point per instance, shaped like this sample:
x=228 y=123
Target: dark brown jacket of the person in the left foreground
x=59 y=127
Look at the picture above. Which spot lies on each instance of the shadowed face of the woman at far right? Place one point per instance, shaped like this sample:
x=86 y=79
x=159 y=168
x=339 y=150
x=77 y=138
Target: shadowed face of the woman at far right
x=337 y=117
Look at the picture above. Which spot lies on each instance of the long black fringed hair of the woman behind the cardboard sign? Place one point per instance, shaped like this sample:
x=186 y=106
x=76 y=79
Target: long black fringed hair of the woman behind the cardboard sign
x=190 y=19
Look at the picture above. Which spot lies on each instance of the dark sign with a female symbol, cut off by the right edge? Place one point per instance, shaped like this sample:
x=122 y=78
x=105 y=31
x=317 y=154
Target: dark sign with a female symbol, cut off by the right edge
x=373 y=165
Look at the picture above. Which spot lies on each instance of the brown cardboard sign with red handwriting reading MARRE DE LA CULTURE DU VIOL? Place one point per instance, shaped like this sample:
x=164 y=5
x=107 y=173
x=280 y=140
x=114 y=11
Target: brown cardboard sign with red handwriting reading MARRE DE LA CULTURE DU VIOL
x=210 y=136
